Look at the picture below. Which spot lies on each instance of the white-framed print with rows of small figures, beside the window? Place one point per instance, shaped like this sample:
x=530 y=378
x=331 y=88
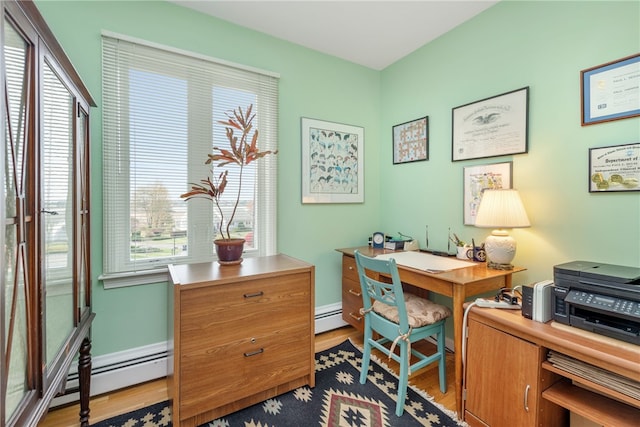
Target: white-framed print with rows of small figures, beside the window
x=332 y=162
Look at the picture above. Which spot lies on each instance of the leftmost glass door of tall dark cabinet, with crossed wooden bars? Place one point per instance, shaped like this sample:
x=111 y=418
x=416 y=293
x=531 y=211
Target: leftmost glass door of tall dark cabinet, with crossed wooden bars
x=19 y=340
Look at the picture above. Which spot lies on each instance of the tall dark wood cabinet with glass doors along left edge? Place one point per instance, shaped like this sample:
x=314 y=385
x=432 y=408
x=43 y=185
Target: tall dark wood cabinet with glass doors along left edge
x=45 y=284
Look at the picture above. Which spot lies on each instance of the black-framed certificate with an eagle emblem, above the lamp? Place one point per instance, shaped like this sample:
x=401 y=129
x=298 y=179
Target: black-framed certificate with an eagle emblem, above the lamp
x=496 y=126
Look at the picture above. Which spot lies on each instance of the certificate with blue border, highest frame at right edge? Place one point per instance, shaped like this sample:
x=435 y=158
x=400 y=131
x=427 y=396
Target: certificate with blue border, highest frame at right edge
x=610 y=91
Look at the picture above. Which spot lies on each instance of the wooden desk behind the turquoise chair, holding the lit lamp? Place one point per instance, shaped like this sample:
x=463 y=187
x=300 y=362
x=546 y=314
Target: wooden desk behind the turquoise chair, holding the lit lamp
x=457 y=284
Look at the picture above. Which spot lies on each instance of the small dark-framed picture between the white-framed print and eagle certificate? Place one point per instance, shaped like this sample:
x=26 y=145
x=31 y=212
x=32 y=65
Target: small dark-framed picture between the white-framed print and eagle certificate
x=411 y=141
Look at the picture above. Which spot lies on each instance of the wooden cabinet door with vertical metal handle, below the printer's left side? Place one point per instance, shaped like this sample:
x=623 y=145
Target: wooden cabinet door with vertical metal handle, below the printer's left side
x=501 y=377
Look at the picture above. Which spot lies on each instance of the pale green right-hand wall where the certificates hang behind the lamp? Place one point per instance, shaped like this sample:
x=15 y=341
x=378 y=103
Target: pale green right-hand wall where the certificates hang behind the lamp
x=542 y=45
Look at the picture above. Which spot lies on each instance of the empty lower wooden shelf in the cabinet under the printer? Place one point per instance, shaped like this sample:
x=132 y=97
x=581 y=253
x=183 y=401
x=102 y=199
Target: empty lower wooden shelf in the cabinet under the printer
x=590 y=405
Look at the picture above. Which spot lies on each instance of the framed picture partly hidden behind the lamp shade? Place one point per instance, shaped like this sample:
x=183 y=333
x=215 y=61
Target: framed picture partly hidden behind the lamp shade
x=483 y=177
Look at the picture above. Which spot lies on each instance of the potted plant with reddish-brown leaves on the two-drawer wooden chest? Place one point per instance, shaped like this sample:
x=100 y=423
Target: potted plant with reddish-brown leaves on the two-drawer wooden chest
x=242 y=151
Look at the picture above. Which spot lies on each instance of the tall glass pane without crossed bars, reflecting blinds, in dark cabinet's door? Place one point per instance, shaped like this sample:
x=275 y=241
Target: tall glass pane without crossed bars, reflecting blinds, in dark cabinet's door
x=56 y=211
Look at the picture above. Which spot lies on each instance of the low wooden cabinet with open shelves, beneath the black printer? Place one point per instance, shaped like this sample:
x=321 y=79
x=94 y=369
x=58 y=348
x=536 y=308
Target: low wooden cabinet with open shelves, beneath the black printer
x=510 y=378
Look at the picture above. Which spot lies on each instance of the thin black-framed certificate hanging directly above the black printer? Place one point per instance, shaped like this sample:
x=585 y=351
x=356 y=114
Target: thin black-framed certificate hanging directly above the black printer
x=615 y=168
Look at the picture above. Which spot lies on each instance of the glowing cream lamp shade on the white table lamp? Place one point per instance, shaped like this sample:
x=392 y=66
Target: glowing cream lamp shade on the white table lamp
x=501 y=209
